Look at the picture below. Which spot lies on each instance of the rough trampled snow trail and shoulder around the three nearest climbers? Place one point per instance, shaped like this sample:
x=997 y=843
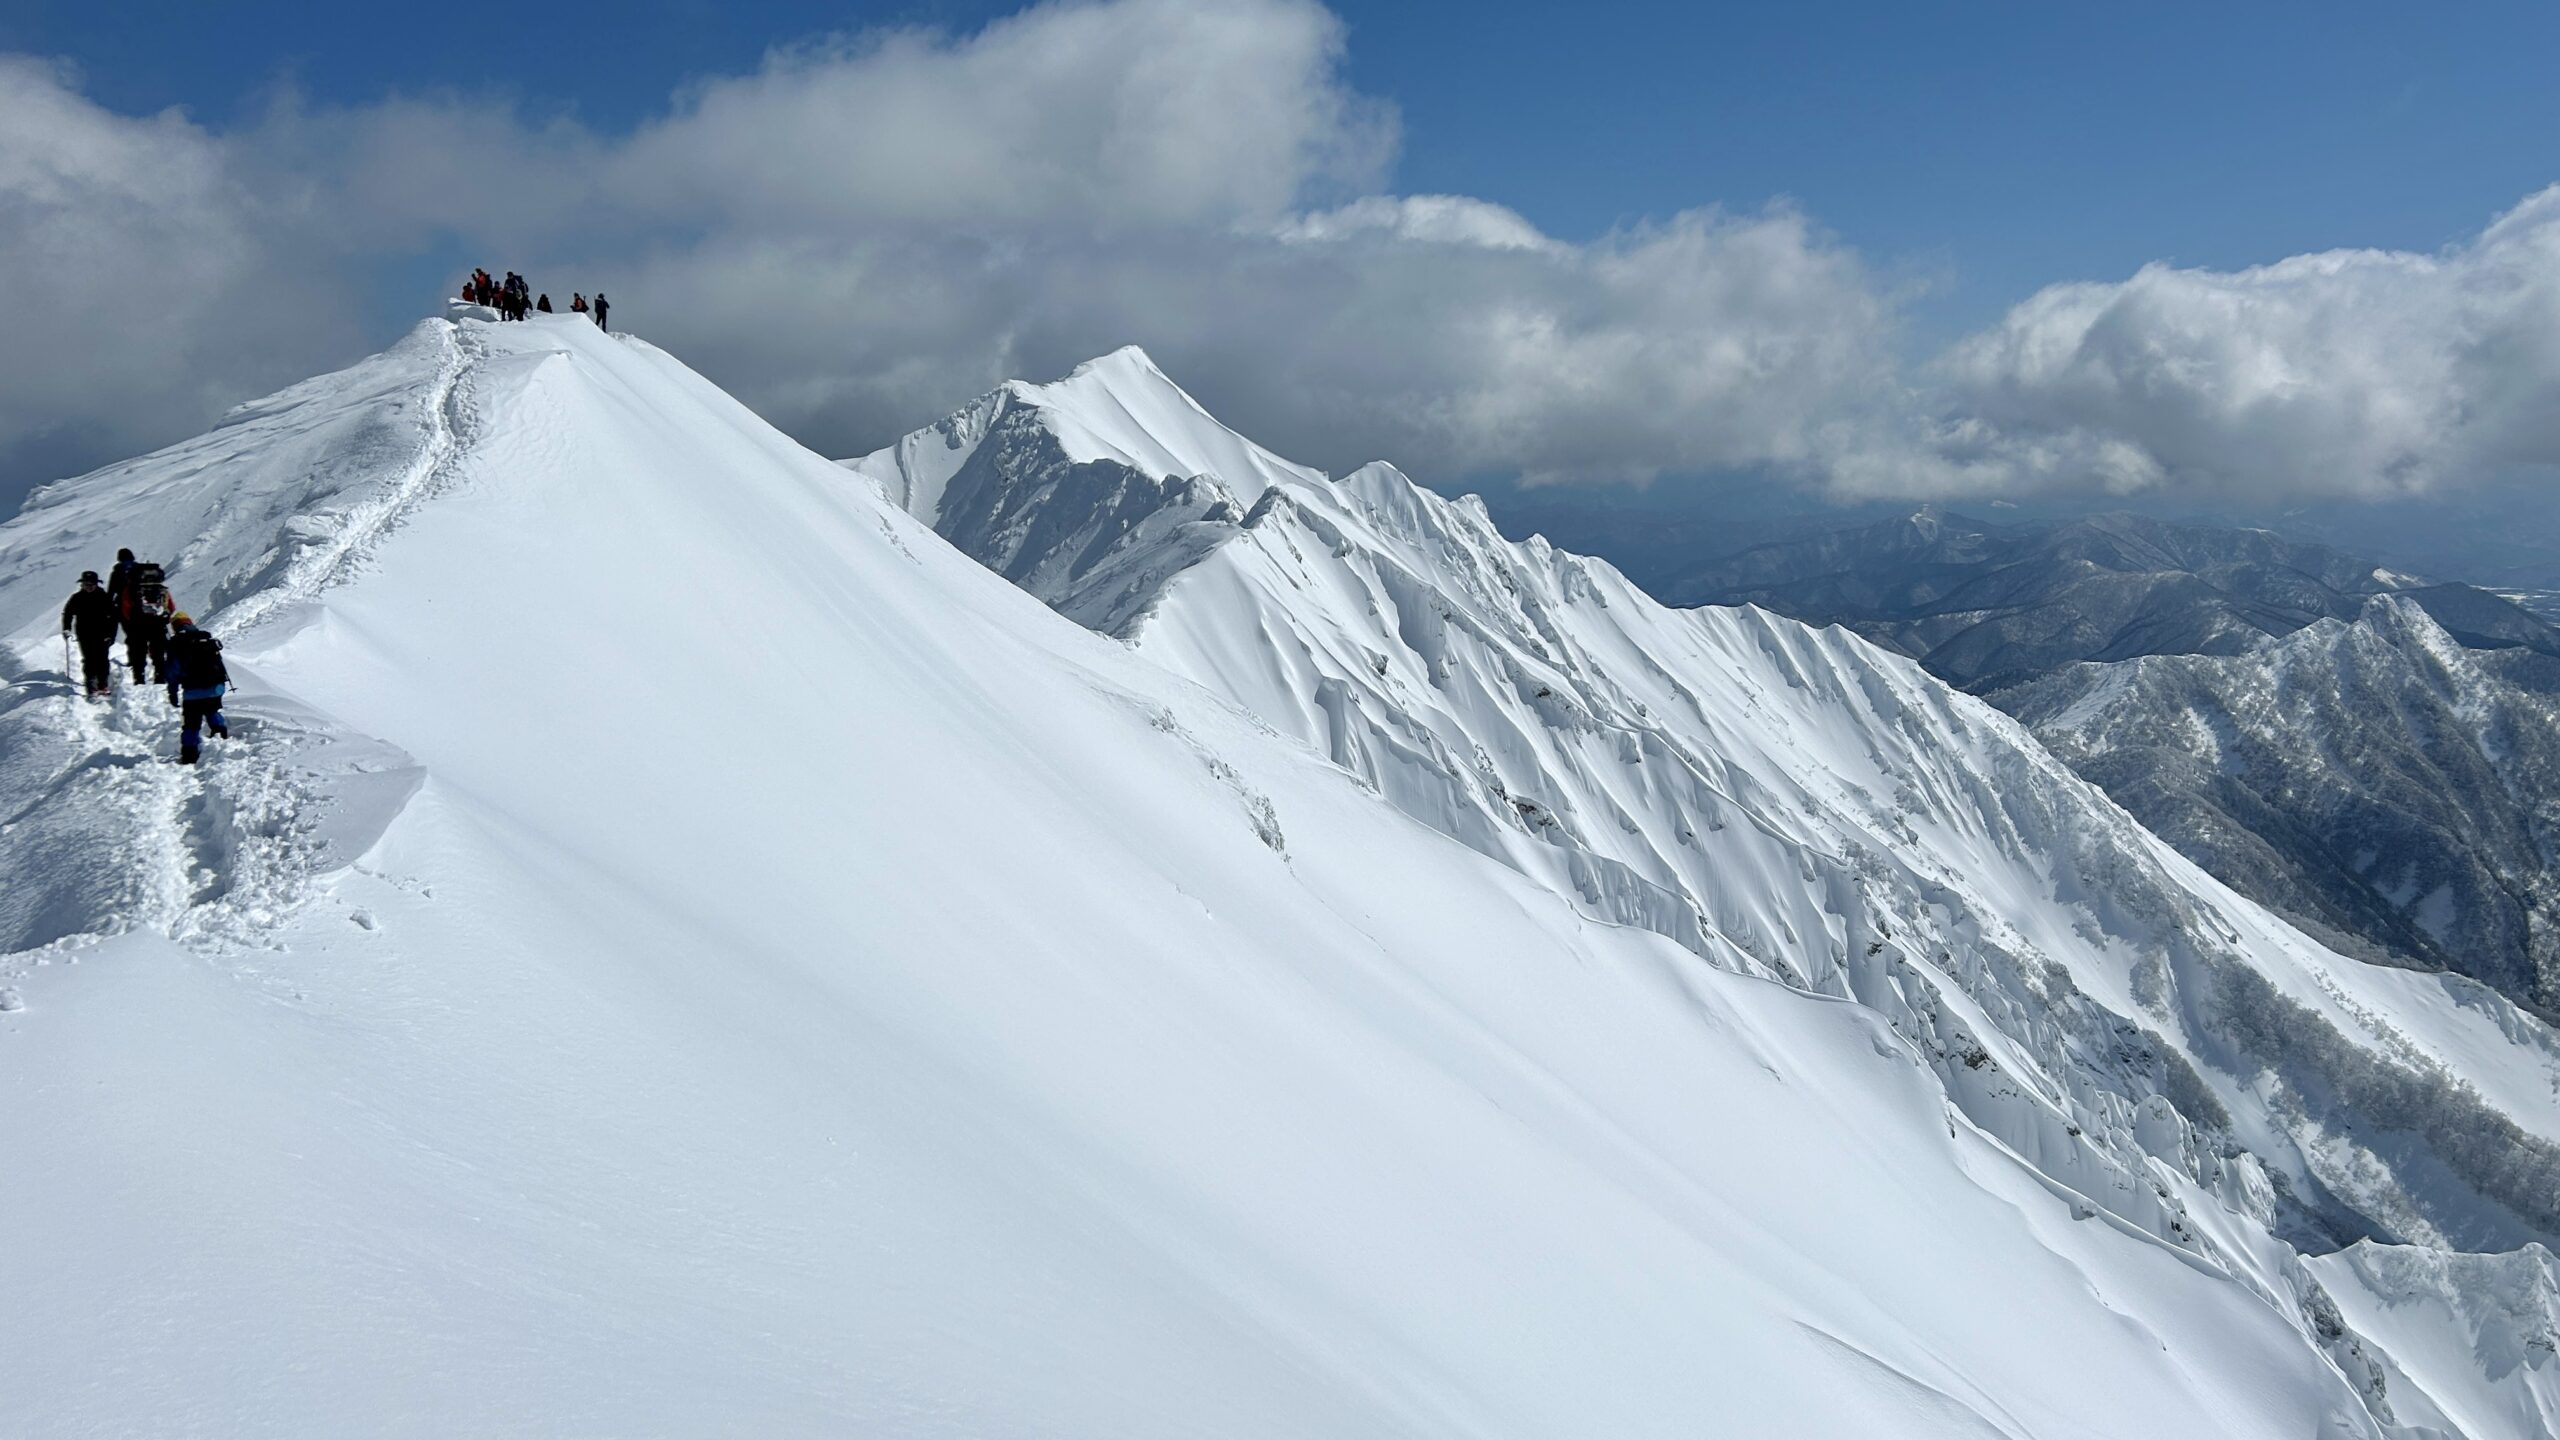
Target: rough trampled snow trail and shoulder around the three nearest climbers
x=104 y=831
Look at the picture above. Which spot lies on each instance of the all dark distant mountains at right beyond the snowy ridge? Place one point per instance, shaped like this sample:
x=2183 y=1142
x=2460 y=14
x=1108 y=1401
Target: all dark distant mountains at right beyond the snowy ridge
x=2362 y=749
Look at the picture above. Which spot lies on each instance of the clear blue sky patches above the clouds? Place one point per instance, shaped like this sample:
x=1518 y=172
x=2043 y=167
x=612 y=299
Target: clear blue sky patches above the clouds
x=1988 y=147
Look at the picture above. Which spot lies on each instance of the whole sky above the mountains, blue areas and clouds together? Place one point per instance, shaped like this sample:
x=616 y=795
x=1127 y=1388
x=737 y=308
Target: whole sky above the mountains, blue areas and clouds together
x=1847 y=247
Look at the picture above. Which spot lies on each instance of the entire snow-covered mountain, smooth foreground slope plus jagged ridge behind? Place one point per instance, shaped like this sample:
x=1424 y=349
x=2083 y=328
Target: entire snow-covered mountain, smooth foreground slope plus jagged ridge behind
x=680 y=949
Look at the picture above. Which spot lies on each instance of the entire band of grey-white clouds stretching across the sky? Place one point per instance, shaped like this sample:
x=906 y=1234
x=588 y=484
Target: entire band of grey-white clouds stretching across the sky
x=872 y=229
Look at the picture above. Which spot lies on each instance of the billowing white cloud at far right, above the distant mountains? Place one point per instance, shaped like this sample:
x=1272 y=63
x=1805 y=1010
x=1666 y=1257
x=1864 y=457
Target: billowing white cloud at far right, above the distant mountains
x=2344 y=373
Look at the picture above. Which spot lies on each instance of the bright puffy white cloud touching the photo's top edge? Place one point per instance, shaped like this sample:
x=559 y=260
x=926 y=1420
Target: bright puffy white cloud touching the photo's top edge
x=1125 y=114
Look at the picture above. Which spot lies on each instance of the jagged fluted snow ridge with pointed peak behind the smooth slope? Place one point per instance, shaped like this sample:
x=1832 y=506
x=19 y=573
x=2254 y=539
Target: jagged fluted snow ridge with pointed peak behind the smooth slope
x=1793 y=806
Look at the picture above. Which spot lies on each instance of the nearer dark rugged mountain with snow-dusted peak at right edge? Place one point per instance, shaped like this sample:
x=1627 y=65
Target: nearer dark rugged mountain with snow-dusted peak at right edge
x=2372 y=778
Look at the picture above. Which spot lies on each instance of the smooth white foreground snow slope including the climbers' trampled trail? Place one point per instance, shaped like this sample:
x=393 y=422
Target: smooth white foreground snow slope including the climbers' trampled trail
x=677 y=949
